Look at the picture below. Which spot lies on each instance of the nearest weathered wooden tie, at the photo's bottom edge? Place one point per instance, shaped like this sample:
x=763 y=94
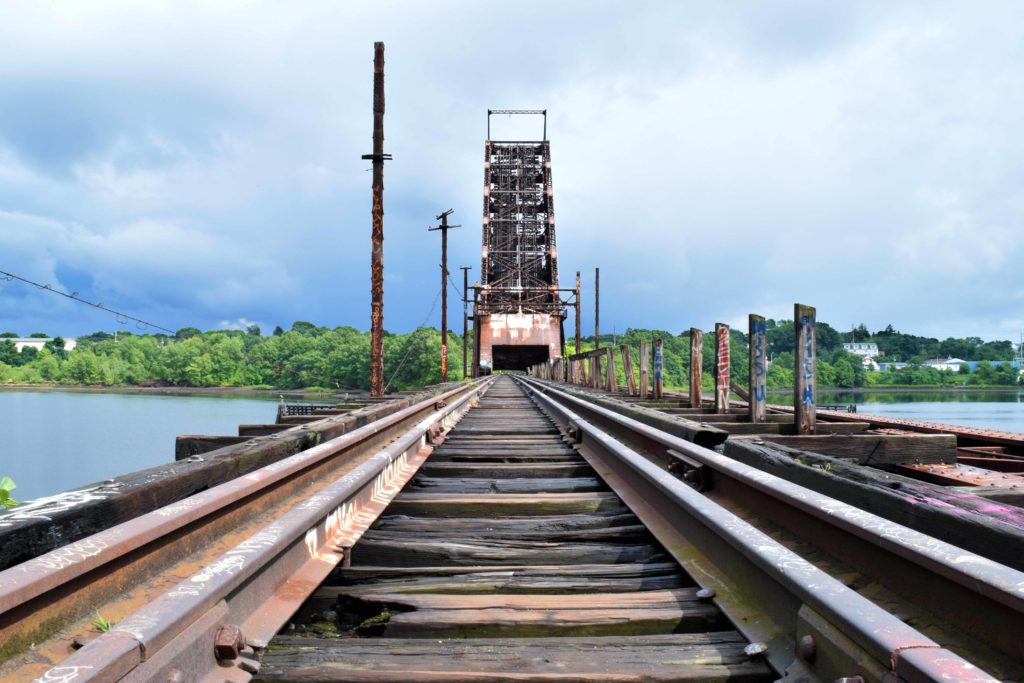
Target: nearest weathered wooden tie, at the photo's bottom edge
x=709 y=657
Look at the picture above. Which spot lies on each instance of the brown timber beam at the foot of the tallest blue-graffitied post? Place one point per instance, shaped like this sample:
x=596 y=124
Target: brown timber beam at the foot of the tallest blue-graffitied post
x=877 y=449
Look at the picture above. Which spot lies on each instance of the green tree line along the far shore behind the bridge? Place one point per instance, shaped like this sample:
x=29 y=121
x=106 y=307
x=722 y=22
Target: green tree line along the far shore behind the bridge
x=338 y=359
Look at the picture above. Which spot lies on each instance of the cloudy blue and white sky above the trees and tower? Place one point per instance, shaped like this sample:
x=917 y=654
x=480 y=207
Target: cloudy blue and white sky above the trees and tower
x=198 y=164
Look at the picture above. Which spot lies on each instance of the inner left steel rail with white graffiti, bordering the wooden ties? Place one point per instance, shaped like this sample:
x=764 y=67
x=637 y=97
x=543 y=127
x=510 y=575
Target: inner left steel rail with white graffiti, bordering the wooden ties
x=195 y=631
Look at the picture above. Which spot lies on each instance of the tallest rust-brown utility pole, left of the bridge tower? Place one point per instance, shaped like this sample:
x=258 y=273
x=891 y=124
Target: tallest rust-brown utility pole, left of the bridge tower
x=377 y=235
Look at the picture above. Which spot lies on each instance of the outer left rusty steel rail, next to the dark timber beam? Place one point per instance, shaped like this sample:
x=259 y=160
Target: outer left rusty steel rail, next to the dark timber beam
x=35 y=602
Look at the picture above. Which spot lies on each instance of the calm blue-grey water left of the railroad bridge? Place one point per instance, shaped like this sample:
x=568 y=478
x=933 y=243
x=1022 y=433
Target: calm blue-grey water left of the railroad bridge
x=53 y=442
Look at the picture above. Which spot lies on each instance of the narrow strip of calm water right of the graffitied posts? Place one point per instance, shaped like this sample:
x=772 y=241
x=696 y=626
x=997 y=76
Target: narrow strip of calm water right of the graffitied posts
x=996 y=410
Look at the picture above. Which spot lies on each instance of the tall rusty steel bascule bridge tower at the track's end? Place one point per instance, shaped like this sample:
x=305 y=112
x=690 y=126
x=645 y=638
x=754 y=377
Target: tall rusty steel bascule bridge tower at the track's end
x=519 y=311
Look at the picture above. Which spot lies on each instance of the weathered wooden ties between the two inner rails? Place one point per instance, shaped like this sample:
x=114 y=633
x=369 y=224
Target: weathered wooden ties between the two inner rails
x=506 y=558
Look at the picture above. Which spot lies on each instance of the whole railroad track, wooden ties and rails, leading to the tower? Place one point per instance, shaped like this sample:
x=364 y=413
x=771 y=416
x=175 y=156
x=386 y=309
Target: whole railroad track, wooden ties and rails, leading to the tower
x=548 y=538
